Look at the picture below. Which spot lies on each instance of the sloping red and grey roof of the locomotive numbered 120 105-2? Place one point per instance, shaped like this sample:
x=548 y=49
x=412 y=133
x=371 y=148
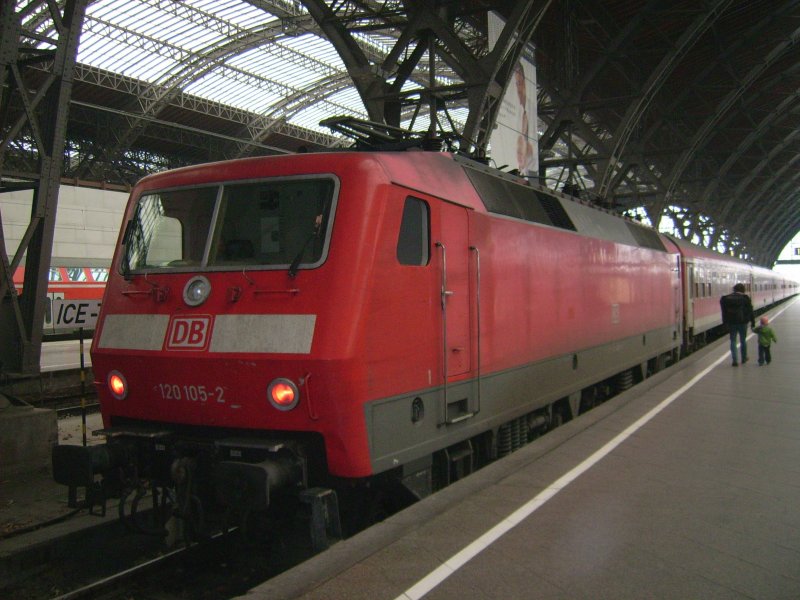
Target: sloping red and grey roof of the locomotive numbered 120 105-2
x=447 y=176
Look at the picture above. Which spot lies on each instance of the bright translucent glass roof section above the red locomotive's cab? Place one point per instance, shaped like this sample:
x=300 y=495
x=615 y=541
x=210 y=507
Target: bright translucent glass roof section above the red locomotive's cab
x=237 y=54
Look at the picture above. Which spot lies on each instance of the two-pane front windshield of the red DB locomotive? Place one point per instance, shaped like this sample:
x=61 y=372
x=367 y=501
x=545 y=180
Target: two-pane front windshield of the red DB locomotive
x=281 y=223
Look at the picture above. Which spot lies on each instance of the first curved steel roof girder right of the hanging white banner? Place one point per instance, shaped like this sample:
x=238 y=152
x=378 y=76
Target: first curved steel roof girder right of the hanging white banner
x=653 y=86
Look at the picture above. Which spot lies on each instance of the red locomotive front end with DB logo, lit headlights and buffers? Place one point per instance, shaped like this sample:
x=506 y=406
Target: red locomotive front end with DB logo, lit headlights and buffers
x=205 y=345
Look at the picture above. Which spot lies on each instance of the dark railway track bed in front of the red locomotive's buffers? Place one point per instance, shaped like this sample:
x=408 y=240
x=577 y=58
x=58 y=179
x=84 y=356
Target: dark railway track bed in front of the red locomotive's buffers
x=104 y=564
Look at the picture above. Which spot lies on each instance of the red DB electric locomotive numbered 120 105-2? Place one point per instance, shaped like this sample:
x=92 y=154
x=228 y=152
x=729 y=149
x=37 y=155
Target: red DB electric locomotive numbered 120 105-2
x=288 y=324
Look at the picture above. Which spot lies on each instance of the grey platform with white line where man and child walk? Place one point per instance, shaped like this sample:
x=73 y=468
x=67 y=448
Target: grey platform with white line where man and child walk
x=686 y=486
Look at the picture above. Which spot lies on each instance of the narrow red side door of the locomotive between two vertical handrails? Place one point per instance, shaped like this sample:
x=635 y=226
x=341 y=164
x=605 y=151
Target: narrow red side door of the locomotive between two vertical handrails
x=452 y=254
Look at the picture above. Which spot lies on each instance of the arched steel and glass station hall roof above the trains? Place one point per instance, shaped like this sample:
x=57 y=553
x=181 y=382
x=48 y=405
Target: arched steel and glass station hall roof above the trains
x=680 y=110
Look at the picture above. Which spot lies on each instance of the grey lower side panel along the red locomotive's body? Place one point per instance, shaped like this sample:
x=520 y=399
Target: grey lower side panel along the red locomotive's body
x=410 y=426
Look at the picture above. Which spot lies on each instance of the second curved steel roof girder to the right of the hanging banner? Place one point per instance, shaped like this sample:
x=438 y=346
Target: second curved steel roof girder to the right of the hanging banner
x=705 y=131
